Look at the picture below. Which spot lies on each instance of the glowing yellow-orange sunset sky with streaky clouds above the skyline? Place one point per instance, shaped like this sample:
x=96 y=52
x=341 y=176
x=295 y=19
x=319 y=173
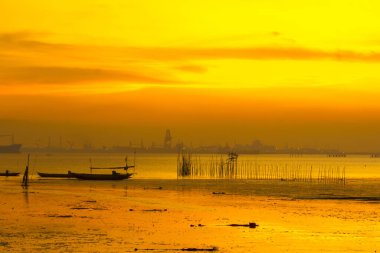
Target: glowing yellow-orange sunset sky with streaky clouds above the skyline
x=301 y=73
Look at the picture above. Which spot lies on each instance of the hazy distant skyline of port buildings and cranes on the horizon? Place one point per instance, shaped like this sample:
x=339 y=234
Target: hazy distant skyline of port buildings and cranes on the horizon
x=169 y=144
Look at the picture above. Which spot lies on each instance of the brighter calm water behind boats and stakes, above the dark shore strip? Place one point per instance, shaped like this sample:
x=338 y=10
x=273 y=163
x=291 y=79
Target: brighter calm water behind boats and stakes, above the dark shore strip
x=164 y=166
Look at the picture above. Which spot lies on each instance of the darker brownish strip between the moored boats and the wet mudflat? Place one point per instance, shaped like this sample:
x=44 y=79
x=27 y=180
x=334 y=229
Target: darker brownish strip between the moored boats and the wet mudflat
x=353 y=189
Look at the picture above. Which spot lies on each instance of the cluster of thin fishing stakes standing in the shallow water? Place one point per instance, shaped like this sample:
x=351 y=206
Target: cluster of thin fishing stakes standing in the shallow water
x=222 y=167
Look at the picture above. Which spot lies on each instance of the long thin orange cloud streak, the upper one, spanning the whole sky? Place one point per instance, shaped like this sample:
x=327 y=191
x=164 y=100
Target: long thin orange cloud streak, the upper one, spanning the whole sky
x=26 y=40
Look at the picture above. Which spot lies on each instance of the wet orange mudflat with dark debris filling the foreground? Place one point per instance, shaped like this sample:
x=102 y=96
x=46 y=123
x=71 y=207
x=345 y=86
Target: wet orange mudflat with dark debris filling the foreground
x=129 y=216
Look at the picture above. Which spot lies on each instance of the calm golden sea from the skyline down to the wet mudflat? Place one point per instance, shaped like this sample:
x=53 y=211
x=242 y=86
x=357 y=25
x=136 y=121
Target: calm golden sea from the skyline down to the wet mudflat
x=157 y=171
